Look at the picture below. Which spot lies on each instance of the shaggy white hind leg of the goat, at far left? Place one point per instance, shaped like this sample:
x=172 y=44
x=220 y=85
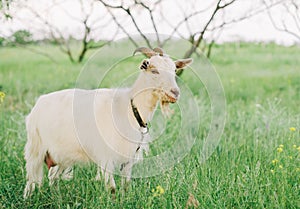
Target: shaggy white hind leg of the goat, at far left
x=34 y=156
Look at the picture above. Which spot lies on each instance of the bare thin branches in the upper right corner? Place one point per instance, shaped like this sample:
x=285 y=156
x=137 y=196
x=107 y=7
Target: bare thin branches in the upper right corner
x=290 y=23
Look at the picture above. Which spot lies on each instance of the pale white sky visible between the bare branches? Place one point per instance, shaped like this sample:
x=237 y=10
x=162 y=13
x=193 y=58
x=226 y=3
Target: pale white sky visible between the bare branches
x=67 y=14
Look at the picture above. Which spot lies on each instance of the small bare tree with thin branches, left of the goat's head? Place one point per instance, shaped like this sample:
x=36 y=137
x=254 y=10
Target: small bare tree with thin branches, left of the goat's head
x=87 y=22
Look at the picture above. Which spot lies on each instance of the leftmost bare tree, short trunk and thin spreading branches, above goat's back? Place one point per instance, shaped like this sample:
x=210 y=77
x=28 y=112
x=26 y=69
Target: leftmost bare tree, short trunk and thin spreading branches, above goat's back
x=85 y=20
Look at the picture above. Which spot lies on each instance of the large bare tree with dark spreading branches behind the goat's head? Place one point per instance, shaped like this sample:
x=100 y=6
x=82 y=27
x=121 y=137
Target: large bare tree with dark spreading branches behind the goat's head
x=156 y=13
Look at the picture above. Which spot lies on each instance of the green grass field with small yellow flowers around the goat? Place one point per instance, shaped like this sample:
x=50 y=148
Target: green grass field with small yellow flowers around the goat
x=261 y=83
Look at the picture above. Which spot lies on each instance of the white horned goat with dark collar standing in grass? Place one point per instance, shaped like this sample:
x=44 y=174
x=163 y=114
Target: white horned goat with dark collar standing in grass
x=61 y=132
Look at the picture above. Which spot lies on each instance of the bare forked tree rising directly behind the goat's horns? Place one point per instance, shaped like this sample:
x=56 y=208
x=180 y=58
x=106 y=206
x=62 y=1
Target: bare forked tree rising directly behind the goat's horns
x=150 y=8
